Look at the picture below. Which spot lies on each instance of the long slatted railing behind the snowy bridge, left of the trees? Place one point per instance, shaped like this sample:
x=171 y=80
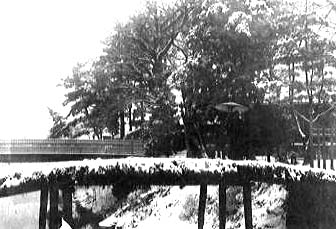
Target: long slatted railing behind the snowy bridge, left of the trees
x=24 y=150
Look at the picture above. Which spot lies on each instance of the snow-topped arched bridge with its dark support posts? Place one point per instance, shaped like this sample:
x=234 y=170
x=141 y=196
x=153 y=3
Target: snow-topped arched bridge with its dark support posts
x=50 y=177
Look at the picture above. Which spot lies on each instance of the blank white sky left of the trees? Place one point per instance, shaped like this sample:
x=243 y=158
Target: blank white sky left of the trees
x=40 y=42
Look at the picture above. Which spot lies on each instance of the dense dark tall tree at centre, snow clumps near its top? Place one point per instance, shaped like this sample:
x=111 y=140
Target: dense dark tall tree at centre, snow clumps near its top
x=225 y=55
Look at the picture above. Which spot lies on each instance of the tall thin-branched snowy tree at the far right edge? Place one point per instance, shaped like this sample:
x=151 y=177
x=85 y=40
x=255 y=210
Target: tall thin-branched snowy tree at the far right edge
x=302 y=49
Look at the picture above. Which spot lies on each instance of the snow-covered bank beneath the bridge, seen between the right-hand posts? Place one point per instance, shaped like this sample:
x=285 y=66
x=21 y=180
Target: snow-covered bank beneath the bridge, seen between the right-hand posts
x=170 y=208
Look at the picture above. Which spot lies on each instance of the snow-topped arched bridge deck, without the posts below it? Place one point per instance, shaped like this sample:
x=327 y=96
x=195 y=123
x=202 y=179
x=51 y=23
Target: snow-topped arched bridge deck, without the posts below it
x=22 y=177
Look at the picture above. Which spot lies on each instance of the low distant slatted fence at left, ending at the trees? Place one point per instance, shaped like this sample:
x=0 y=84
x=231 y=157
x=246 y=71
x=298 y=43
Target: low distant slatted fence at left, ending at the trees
x=71 y=147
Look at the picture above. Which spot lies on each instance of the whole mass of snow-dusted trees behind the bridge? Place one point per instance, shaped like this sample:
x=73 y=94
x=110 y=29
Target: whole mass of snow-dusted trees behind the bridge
x=164 y=71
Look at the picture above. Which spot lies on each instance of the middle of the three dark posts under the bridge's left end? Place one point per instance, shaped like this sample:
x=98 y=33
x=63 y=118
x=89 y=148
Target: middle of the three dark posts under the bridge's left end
x=53 y=212
